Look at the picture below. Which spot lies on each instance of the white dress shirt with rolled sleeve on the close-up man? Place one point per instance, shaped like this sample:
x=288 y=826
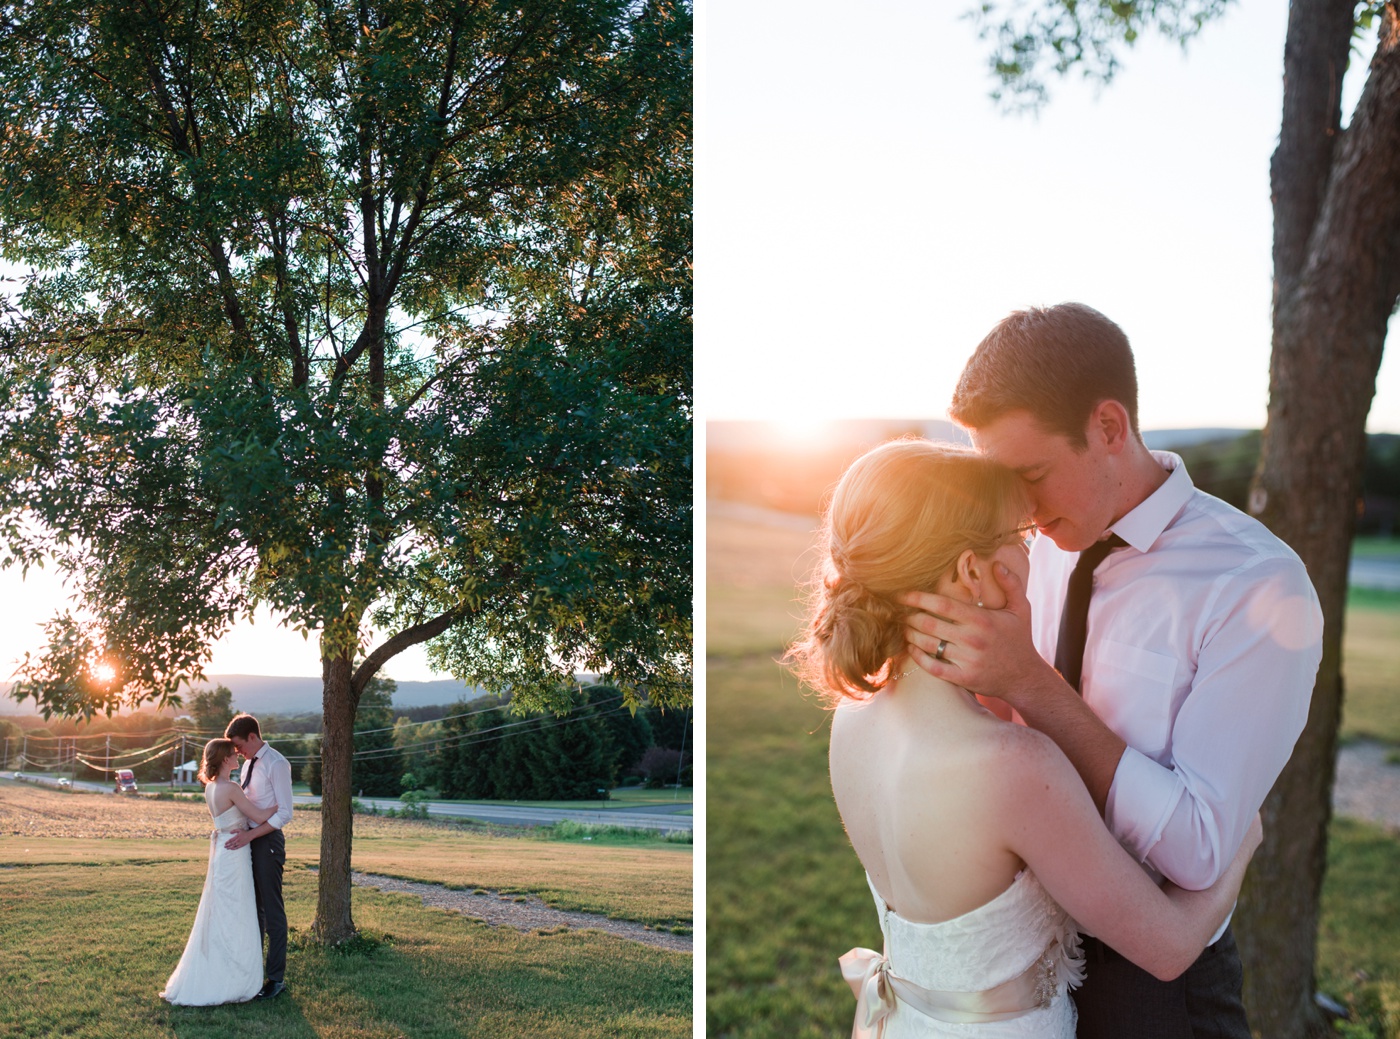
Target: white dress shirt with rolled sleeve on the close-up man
x=1205 y=642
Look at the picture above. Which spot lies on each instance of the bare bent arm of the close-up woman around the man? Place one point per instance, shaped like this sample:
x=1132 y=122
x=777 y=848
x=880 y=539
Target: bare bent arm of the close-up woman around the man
x=1059 y=834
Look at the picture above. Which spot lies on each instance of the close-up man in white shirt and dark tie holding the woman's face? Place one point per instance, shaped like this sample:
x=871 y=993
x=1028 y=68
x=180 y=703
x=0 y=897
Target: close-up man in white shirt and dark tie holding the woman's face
x=1182 y=690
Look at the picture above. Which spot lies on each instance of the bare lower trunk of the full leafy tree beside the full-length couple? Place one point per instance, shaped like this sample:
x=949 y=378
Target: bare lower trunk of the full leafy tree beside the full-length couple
x=334 y=922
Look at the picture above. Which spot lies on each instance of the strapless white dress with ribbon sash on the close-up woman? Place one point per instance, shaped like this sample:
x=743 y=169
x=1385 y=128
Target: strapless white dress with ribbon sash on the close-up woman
x=999 y=972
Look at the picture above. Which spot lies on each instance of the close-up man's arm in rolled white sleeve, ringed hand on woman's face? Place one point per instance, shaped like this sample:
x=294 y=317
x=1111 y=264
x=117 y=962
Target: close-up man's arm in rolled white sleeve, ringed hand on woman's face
x=1233 y=736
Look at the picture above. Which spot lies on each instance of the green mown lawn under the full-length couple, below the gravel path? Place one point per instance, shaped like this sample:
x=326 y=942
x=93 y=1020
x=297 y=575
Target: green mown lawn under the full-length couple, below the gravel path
x=89 y=949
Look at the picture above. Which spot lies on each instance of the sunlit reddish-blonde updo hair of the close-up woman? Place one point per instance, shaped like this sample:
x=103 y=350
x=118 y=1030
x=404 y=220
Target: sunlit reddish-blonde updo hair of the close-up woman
x=899 y=519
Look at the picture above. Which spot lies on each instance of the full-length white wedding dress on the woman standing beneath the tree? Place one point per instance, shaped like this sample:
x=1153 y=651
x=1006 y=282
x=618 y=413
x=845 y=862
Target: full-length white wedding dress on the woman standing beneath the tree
x=223 y=957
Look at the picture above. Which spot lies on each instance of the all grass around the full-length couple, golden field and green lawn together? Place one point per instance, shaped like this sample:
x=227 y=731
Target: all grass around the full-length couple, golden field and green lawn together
x=97 y=897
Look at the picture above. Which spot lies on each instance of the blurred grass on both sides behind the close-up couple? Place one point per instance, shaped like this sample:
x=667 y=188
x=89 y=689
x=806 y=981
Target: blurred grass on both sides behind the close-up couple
x=786 y=895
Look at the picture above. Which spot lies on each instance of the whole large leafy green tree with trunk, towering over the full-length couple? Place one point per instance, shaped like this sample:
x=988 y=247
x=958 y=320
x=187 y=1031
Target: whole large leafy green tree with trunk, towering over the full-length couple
x=373 y=314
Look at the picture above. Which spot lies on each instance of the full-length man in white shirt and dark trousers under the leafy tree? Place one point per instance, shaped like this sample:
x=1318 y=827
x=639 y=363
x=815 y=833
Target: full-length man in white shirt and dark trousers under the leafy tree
x=267 y=779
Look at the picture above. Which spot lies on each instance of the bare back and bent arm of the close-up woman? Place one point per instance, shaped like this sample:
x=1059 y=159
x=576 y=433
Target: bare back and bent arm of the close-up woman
x=944 y=804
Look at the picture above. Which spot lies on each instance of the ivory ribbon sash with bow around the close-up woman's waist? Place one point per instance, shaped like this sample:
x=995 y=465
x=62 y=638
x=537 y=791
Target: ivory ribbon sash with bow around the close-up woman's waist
x=878 y=991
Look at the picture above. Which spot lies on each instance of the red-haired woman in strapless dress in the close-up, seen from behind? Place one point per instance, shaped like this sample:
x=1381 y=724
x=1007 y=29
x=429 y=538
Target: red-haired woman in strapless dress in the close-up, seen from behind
x=982 y=848
